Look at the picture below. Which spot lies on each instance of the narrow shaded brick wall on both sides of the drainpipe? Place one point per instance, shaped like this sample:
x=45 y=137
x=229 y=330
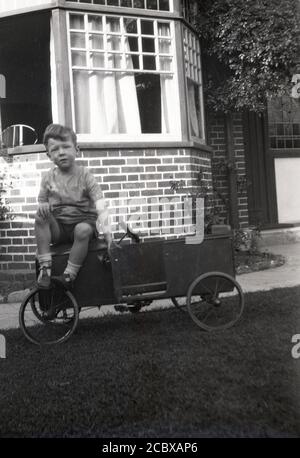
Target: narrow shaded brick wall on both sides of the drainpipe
x=217 y=139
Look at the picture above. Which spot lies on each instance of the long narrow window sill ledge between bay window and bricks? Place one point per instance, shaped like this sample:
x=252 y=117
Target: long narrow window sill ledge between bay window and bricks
x=40 y=148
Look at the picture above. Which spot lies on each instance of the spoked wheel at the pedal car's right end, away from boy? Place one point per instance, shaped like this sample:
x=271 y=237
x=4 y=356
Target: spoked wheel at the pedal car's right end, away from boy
x=220 y=301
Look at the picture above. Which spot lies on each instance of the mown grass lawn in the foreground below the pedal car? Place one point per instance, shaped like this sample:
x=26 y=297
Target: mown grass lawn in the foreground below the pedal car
x=157 y=374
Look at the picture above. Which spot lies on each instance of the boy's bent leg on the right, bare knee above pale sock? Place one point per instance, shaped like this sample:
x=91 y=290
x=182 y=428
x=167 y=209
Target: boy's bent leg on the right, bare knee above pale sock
x=83 y=232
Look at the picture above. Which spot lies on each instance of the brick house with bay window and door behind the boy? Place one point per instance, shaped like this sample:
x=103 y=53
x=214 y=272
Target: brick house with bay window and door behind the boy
x=126 y=74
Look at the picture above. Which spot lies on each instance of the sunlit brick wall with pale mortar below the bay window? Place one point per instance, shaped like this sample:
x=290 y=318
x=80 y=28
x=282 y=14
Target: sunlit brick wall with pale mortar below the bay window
x=142 y=176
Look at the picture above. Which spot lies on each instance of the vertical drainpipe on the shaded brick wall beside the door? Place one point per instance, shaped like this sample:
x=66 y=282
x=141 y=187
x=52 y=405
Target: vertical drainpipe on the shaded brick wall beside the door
x=232 y=175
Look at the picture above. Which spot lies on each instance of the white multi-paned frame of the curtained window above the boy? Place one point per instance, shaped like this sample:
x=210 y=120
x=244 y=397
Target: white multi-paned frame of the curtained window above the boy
x=123 y=137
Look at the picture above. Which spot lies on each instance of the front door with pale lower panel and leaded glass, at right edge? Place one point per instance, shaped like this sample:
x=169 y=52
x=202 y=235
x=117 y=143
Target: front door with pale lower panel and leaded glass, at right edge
x=272 y=150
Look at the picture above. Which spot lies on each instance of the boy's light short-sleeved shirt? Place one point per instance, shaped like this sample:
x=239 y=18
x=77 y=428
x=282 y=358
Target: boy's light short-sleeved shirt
x=72 y=196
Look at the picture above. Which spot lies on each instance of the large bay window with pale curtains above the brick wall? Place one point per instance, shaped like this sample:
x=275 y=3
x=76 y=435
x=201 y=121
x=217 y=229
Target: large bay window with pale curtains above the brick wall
x=111 y=73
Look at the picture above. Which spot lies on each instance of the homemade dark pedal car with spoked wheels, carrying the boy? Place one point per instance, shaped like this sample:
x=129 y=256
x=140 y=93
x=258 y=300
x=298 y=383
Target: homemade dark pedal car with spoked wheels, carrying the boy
x=198 y=278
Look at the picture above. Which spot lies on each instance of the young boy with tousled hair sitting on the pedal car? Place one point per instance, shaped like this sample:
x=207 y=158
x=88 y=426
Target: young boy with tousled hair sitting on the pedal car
x=71 y=206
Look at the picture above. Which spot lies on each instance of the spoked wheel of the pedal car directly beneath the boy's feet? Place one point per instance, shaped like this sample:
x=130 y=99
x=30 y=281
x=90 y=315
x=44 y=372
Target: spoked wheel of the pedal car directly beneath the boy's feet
x=49 y=316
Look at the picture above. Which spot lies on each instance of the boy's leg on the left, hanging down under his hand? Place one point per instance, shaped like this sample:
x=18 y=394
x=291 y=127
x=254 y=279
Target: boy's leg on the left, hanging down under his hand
x=46 y=231
